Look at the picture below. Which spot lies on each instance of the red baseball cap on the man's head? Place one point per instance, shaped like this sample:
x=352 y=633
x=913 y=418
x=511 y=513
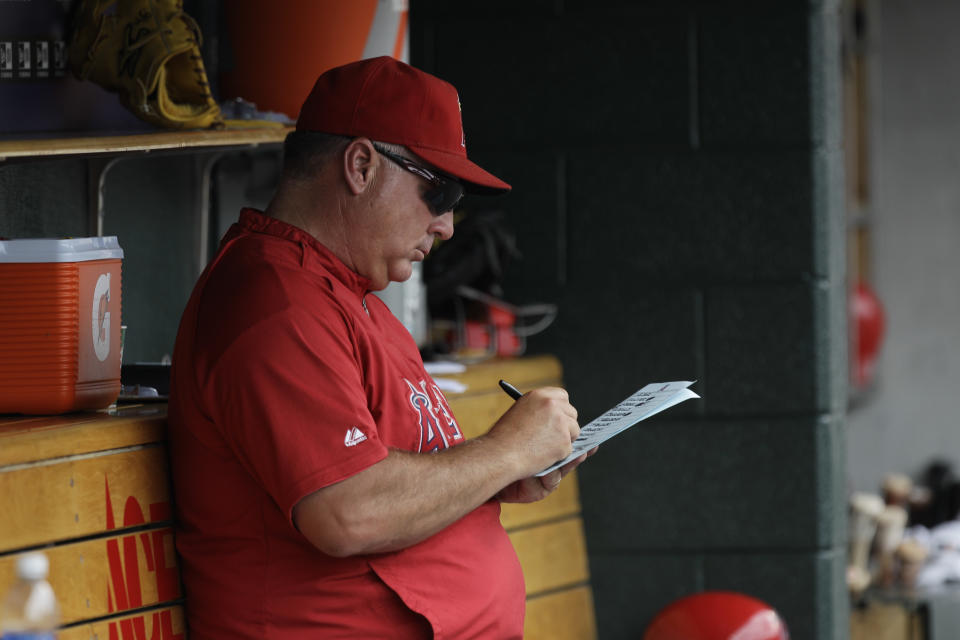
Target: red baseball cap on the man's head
x=389 y=101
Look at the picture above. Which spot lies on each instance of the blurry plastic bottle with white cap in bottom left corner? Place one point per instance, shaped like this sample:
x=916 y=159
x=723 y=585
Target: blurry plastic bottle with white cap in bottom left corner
x=30 y=610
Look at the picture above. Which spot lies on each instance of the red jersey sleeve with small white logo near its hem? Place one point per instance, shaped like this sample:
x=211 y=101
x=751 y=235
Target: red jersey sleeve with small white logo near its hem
x=289 y=398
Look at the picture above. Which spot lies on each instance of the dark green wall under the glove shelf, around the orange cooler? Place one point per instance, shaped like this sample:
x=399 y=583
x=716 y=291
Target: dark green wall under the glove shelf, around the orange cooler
x=150 y=205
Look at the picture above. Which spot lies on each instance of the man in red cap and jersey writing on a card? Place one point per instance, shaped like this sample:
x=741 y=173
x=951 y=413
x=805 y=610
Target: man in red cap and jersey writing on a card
x=323 y=486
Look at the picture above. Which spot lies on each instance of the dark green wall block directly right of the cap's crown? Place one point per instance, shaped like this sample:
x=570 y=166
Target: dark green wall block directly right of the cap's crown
x=583 y=80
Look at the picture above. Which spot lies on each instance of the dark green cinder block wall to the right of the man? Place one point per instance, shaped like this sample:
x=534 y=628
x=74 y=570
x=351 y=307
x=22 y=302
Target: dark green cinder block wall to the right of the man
x=678 y=190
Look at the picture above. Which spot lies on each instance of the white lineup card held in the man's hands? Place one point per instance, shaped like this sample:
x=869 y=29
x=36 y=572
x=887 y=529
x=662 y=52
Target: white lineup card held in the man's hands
x=648 y=401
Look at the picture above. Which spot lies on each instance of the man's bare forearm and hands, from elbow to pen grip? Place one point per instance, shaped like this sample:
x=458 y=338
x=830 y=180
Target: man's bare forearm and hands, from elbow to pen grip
x=383 y=508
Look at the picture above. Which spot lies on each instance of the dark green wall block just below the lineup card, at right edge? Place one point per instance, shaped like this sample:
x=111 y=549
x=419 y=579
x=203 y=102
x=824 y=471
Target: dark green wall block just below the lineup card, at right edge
x=683 y=485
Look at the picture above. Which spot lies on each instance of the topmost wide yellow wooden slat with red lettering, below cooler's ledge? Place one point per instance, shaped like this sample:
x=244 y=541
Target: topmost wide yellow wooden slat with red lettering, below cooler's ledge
x=44 y=503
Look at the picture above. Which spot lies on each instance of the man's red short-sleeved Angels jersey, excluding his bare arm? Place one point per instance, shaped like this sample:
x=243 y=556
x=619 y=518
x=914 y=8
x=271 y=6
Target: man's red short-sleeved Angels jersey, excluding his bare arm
x=288 y=377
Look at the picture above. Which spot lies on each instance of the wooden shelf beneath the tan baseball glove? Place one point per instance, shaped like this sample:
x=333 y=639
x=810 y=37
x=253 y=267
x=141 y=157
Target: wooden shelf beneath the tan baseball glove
x=35 y=148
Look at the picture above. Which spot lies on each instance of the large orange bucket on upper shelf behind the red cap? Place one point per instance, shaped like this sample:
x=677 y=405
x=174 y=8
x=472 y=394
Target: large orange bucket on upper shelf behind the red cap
x=279 y=49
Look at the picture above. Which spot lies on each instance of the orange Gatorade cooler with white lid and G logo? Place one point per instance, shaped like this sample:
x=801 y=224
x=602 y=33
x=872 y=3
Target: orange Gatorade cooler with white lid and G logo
x=59 y=324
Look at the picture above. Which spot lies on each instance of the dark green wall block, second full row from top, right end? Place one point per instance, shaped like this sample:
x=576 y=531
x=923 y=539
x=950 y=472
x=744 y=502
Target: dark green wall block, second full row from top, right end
x=704 y=217
